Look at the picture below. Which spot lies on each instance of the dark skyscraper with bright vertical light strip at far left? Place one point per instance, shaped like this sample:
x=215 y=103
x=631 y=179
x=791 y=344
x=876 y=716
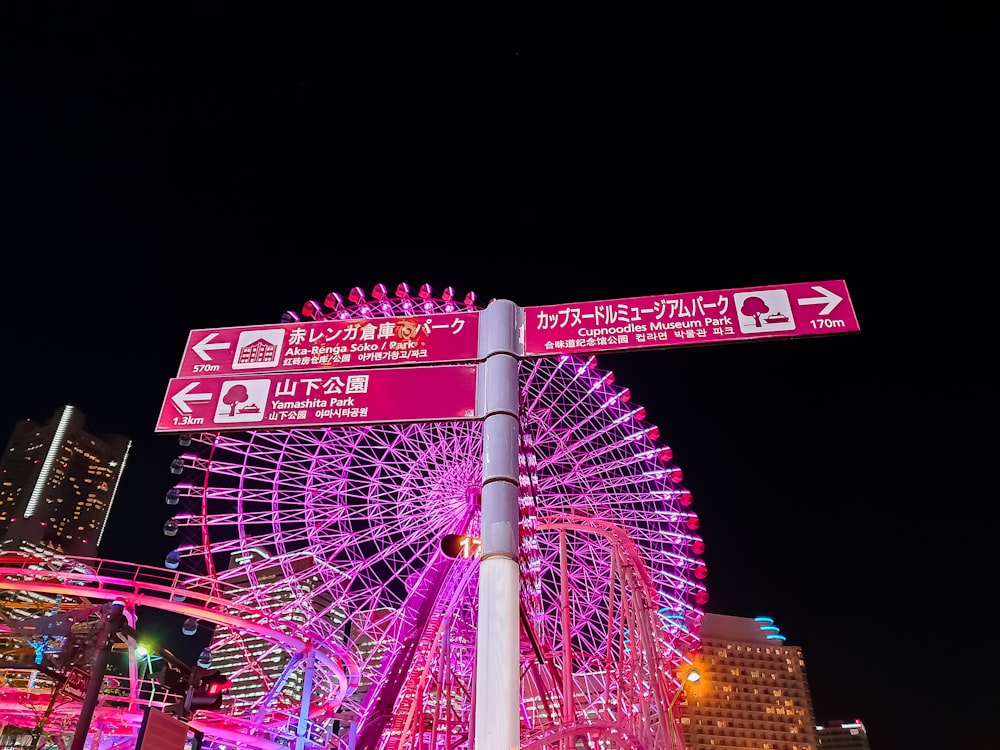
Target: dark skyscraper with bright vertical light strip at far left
x=58 y=483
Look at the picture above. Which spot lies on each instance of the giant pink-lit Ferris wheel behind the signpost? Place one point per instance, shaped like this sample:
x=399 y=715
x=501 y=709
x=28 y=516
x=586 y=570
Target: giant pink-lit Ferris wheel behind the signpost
x=359 y=542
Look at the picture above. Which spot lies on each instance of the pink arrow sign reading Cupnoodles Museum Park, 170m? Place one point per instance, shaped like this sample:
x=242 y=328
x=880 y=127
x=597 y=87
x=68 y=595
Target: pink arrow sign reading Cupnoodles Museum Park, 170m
x=790 y=310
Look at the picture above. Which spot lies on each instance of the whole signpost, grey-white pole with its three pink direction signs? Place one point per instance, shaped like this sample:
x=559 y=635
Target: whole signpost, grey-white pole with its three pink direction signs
x=302 y=375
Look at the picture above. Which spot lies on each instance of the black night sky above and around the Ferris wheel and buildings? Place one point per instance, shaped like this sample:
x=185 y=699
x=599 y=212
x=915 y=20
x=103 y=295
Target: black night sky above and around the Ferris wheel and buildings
x=167 y=170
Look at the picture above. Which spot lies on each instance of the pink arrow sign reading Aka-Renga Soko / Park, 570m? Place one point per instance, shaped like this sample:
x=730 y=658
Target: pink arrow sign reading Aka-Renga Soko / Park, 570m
x=329 y=344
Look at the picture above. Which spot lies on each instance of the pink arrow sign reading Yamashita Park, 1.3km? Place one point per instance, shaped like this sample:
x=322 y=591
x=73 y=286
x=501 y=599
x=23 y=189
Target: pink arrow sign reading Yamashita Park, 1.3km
x=282 y=400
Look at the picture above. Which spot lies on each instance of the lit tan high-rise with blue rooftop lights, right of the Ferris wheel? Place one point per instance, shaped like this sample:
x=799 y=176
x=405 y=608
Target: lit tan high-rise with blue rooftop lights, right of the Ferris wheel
x=753 y=691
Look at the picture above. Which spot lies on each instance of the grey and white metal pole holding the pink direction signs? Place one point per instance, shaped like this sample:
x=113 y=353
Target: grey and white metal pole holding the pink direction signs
x=497 y=690
